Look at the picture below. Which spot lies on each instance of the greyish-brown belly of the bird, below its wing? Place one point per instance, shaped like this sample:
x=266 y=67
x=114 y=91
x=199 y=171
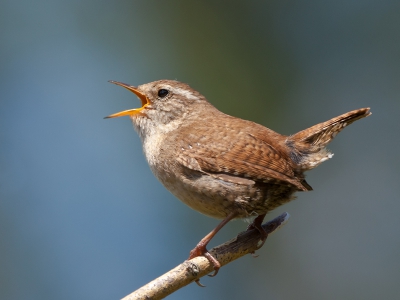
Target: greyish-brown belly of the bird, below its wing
x=217 y=198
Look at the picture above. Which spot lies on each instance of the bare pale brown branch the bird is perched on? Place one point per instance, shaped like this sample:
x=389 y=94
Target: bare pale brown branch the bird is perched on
x=191 y=270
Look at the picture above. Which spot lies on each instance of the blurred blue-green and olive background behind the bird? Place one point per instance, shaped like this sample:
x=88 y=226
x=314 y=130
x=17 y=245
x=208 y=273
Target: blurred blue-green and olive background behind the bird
x=81 y=215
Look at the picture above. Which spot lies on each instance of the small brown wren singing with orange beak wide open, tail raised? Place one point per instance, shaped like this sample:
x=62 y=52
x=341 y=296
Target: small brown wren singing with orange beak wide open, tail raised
x=223 y=166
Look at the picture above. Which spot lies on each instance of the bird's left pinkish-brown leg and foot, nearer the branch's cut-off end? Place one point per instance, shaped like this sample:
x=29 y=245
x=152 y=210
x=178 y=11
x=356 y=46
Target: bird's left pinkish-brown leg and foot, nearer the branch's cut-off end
x=201 y=249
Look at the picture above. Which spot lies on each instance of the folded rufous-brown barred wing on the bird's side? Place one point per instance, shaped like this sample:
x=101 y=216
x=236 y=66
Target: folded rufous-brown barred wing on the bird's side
x=249 y=155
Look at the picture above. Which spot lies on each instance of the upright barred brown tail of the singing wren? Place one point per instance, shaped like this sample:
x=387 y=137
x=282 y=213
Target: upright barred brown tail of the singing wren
x=308 y=146
